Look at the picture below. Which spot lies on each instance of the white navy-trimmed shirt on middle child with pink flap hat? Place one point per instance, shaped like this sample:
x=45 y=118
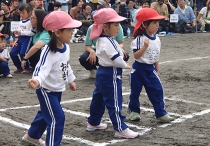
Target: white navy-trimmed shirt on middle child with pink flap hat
x=109 y=53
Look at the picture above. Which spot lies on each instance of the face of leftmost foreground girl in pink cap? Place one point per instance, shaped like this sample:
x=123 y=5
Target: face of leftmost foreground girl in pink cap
x=65 y=35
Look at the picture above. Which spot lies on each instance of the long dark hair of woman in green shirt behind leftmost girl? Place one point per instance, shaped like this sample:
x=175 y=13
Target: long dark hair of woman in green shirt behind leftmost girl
x=40 y=15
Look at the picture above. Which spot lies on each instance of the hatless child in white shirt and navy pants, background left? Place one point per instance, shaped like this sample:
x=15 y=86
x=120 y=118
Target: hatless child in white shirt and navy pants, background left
x=24 y=38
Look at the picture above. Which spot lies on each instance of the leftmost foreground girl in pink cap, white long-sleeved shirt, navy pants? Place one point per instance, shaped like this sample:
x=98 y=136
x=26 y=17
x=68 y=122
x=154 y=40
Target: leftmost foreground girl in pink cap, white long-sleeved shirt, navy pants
x=50 y=77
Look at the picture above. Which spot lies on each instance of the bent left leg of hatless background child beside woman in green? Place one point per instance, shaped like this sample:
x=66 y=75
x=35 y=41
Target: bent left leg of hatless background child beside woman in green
x=14 y=55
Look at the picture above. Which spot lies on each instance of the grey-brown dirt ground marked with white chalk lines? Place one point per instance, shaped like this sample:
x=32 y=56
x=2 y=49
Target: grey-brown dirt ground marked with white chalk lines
x=185 y=75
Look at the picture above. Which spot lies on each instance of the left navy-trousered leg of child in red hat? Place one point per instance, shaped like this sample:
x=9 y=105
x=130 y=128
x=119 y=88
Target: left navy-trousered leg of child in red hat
x=136 y=87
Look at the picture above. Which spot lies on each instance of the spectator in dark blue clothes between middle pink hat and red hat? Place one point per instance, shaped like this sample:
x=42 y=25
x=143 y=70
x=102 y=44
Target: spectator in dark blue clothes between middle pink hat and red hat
x=123 y=10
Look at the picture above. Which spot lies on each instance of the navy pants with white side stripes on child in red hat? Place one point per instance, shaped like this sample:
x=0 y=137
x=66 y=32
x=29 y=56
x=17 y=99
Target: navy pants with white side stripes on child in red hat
x=146 y=75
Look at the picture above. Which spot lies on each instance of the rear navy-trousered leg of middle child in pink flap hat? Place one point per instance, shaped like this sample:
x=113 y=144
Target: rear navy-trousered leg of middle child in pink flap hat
x=97 y=108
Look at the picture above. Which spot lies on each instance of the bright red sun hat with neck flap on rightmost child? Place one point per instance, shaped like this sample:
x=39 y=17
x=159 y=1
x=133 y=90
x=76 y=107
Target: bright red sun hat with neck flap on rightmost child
x=146 y=14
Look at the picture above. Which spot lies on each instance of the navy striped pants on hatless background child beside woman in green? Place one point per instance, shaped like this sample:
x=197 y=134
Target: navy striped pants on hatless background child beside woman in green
x=23 y=45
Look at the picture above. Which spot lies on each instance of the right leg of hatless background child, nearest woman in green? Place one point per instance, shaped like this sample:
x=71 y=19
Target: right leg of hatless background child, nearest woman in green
x=25 y=46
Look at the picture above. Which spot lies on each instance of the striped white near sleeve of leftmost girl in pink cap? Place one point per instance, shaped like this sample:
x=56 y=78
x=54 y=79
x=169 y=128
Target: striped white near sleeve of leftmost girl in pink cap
x=44 y=65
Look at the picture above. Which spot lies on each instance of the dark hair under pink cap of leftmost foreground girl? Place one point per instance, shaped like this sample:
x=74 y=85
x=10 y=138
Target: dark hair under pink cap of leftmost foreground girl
x=53 y=40
